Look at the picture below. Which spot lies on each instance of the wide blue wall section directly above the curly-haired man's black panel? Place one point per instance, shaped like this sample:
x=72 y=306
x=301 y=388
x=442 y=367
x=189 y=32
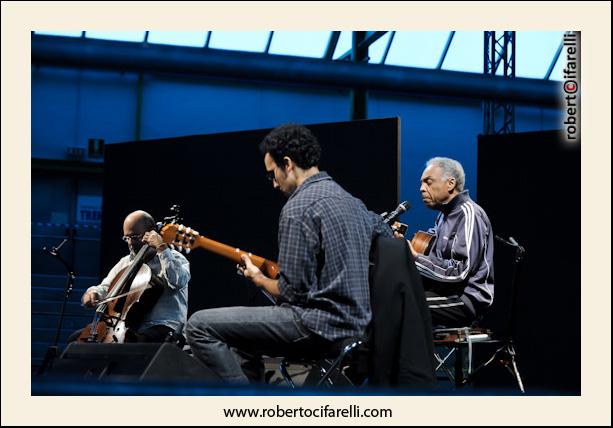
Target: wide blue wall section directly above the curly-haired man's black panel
x=175 y=107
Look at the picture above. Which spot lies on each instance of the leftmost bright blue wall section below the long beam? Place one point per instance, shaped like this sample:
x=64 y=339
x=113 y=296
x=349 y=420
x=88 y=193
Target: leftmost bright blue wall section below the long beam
x=71 y=106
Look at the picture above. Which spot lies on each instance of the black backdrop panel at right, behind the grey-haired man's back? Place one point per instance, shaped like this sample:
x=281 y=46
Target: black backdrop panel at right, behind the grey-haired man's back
x=529 y=184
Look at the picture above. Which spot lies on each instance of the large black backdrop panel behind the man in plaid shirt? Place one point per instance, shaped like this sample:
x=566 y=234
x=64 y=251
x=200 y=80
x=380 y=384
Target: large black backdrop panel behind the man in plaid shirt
x=220 y=183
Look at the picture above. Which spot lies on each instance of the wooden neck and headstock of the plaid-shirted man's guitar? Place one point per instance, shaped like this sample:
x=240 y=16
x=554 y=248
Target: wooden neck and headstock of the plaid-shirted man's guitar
x=181 y=237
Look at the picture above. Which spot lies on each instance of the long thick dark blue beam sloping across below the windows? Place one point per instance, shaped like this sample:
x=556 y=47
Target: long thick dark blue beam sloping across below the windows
x=179 y=60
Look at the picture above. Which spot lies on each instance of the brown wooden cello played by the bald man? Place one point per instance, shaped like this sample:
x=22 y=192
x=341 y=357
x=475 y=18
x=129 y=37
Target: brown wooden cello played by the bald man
x=126 y=301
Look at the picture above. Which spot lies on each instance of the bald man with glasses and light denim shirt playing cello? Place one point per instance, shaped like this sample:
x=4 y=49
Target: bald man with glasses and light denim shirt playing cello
x=169 y=270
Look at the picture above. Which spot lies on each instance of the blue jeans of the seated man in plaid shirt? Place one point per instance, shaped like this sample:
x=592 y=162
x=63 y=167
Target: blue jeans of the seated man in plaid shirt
x=231 y=341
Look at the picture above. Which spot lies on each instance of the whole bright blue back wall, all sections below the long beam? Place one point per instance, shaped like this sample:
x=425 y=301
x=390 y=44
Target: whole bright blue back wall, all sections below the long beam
x=69 y=106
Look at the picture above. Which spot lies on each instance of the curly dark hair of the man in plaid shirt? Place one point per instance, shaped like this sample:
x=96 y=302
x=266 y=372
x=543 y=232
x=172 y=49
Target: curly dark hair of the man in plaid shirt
x=294 y=141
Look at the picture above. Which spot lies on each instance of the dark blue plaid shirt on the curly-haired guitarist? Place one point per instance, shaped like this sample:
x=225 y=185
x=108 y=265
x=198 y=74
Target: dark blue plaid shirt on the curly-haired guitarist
x=325 y=236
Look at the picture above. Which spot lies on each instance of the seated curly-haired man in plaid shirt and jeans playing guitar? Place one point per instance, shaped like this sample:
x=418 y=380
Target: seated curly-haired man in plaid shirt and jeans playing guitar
x=322 y=291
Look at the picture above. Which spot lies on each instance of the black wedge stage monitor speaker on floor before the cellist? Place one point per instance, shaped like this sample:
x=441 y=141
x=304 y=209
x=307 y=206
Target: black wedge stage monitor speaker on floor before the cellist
x=130 y=362
